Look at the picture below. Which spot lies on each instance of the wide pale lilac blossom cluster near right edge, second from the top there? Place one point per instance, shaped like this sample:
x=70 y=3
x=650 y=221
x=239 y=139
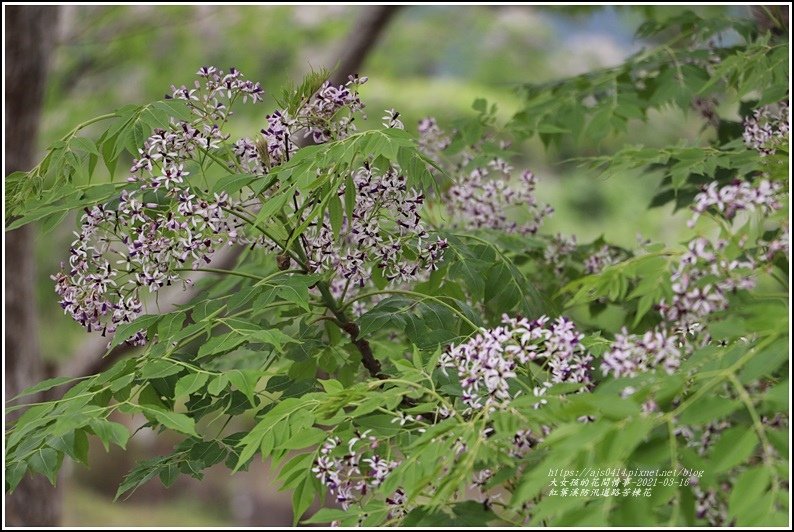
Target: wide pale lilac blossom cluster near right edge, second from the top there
x=737 y=196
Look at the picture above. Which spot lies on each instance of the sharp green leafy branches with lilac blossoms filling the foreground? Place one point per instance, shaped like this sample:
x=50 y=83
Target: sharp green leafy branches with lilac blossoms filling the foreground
x=386 y=329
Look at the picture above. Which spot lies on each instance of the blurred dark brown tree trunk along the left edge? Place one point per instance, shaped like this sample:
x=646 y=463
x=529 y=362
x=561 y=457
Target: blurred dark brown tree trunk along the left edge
x=29 y=36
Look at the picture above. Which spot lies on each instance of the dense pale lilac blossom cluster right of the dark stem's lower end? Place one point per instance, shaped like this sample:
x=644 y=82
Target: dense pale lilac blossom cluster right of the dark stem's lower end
x=487 y=363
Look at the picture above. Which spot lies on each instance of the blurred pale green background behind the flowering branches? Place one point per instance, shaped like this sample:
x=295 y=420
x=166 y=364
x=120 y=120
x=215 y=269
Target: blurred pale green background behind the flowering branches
x=433 y=60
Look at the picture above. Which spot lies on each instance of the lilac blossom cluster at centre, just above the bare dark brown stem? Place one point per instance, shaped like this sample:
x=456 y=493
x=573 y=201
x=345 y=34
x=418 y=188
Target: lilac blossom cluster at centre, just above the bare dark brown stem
x=384 y=228
